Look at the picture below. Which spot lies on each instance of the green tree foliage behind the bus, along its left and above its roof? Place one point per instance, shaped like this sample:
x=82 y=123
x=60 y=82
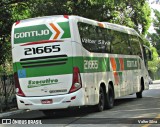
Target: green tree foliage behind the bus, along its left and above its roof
x=131 y=13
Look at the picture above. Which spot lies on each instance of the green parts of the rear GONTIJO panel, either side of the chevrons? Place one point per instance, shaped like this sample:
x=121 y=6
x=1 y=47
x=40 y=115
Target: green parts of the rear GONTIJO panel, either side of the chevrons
x=38 y=33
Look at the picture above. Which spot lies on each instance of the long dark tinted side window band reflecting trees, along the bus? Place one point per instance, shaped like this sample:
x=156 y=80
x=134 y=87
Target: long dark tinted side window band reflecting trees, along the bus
x=102 y=40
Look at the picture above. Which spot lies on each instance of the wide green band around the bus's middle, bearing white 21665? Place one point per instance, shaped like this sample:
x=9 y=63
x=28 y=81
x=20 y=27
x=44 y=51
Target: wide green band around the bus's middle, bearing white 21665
x=103 y=66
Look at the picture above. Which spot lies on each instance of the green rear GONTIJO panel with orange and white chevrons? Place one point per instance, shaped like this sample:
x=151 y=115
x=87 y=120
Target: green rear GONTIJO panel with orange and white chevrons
x=42 y=32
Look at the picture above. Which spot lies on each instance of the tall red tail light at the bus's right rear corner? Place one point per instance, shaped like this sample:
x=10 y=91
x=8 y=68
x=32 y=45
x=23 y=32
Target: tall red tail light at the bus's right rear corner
x=76 y=83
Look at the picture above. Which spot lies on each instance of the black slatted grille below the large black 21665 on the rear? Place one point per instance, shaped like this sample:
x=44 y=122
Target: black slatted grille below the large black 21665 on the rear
x=43 y=61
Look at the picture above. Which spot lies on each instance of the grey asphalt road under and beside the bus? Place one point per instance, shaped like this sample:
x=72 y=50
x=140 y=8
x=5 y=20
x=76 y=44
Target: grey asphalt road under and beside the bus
x=127 y=112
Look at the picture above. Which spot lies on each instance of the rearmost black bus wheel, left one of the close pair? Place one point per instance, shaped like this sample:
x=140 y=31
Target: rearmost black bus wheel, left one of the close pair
x=101 y=105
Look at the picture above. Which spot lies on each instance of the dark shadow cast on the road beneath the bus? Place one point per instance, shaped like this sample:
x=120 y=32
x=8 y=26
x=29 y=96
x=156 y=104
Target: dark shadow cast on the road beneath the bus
x=71 y=113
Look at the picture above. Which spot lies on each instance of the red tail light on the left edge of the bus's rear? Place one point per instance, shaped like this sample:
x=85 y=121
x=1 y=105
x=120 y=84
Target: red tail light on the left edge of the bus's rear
x=17 y=85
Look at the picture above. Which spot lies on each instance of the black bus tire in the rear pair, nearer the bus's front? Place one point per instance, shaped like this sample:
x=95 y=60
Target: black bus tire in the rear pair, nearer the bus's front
x=110 y=97
